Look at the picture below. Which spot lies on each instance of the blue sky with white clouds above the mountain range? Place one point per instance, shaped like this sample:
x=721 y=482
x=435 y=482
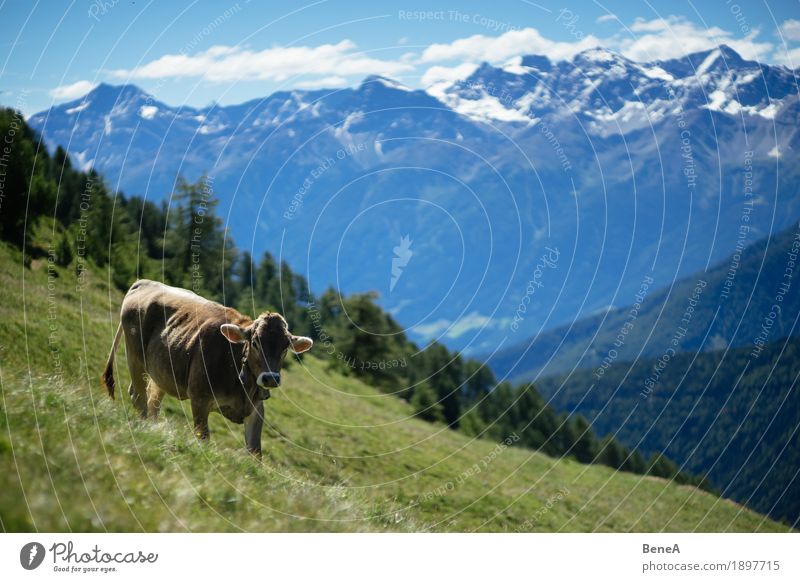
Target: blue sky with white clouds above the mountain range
x=201 y=52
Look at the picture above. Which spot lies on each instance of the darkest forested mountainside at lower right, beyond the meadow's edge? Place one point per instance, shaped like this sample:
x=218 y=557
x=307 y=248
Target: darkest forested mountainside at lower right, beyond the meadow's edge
x=727 y=414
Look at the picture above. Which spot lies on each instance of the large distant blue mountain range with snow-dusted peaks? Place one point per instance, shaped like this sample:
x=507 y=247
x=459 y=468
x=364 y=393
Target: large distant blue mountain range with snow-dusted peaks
x=619 y=169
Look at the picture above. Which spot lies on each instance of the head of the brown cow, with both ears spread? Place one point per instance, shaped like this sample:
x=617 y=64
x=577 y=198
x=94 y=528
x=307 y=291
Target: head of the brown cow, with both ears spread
x=266 y=342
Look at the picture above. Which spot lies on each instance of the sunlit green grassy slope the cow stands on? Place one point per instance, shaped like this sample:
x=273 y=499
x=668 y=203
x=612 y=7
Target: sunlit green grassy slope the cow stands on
x=338 y=455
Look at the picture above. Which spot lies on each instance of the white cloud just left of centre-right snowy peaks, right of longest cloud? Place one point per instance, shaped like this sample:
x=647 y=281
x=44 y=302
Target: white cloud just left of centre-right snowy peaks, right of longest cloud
x=513 y=43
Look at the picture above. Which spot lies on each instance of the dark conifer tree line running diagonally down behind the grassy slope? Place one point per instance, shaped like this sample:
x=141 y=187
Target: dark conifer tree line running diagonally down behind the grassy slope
x=182 y=241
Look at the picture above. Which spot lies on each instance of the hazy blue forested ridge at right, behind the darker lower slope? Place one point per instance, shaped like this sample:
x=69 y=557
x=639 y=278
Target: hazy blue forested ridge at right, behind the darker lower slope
x=749 y=298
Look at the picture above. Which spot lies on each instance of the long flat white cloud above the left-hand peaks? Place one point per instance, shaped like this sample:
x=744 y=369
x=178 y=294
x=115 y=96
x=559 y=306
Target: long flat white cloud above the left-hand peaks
x=225 y=63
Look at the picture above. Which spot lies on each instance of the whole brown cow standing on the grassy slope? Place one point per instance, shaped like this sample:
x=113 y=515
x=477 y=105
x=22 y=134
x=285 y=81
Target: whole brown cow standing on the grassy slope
x=178 y=343
